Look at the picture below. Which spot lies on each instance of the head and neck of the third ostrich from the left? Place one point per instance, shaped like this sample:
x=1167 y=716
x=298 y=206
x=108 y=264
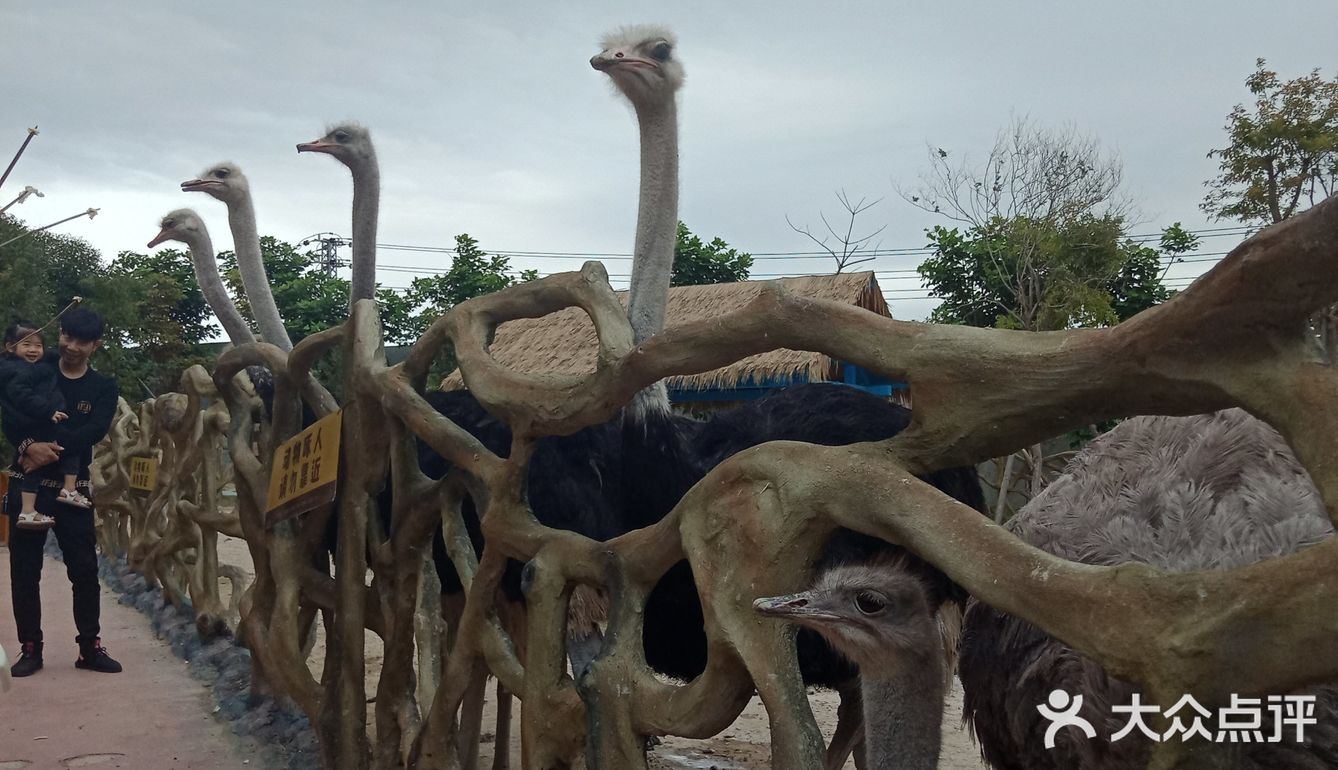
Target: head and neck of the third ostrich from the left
x=351 y=145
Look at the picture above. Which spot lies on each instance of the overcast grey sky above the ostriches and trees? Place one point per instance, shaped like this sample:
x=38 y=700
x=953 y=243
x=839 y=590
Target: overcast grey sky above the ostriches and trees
x=489 y=119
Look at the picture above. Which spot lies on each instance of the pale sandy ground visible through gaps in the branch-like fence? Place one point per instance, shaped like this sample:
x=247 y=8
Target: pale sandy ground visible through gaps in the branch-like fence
x=745 y=747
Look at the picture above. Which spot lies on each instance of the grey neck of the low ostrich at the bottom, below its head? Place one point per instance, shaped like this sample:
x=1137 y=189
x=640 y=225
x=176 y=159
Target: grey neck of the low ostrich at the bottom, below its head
x=904 y=714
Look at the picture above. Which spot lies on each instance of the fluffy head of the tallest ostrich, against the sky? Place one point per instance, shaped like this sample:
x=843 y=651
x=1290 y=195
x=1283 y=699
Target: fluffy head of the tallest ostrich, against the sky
x=642 y=62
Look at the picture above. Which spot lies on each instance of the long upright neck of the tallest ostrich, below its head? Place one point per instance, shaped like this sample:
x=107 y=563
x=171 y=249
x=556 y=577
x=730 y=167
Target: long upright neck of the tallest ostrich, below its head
x=658 y=220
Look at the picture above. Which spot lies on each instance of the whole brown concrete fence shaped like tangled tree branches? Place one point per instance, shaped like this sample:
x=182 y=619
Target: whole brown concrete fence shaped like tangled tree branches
x=1240 y=337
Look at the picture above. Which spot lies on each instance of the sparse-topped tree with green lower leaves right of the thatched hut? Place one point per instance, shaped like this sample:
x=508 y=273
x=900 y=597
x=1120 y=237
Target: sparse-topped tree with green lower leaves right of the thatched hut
x=1042 y=239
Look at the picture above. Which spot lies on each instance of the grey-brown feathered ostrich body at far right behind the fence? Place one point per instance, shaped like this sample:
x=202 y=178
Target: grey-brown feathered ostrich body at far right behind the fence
x=1208 y=492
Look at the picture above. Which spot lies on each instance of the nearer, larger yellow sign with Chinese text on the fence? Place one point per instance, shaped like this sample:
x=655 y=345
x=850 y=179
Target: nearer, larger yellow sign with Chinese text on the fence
x=304 y=472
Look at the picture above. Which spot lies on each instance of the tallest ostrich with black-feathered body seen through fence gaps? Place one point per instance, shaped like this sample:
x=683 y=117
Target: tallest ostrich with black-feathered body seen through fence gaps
x=587 y=481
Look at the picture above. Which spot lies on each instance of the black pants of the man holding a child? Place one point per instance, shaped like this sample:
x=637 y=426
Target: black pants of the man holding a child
x=78 y=543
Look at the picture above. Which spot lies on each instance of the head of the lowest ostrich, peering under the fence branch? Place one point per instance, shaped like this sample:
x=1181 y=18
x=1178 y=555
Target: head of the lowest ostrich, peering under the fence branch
x=873 y=614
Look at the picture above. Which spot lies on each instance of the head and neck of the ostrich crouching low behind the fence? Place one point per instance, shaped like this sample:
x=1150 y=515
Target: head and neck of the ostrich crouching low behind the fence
x=881 y=618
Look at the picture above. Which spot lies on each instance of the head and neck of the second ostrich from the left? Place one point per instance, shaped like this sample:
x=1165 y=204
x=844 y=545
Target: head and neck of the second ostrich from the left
x=229 y=185
